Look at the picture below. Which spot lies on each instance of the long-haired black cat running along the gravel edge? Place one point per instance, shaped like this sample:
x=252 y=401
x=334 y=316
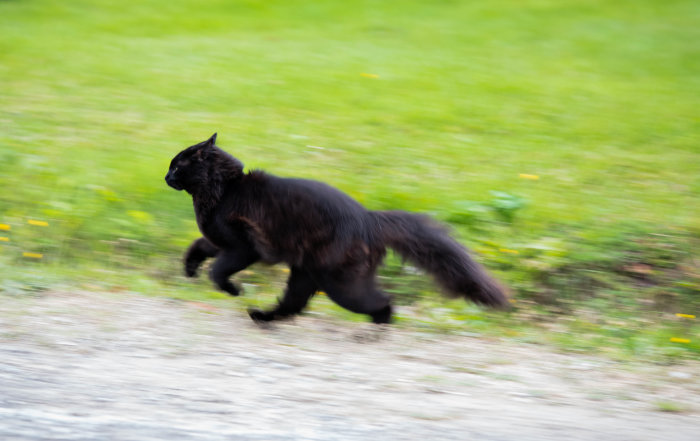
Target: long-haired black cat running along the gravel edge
x=330 y=241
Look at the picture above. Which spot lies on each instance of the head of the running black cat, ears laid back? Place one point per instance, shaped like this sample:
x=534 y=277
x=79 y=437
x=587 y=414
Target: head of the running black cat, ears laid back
x=202 y=165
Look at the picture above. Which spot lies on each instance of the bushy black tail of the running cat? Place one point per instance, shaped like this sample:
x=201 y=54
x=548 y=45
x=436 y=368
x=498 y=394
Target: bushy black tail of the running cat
x=427 y=244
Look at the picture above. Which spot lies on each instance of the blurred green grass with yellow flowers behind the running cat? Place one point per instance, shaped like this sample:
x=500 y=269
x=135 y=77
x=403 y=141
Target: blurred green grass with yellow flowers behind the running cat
x=442 y=107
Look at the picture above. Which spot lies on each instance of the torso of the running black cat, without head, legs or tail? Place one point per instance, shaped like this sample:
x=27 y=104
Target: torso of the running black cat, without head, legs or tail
x=303 y=223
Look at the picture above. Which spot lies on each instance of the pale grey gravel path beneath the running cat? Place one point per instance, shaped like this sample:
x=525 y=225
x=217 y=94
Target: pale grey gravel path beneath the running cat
x=96 y=366
